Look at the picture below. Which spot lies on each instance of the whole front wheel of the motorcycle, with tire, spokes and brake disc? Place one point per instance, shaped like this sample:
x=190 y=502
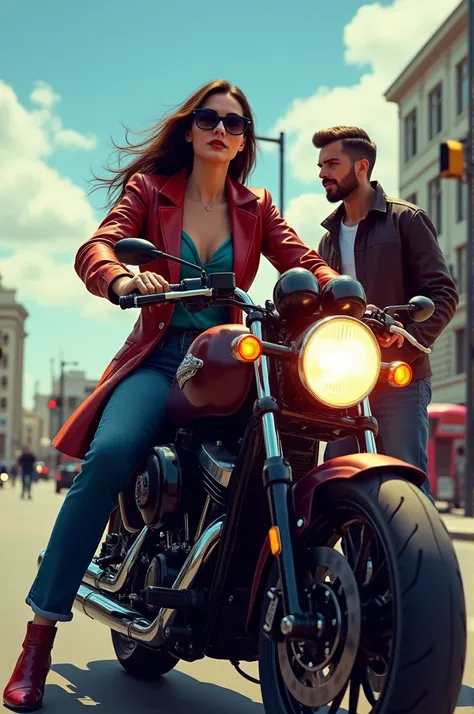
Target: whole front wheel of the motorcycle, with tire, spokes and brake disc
x=378 y=566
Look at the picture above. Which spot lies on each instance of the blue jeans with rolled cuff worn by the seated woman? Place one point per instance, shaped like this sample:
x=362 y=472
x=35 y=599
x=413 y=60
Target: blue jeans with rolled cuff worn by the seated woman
x=133 y=421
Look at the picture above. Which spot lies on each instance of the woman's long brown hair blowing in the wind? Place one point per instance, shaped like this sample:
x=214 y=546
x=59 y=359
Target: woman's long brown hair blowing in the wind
x=165 y=151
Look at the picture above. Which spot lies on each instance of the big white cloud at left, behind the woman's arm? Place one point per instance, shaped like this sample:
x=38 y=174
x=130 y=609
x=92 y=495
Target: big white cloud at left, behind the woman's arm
x=44 y=216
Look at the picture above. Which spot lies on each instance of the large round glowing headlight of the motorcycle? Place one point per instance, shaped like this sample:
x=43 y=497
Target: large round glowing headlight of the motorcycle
x=339 y=361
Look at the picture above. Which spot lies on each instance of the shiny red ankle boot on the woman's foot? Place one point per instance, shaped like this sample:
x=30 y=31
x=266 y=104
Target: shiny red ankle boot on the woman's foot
x=24 y=692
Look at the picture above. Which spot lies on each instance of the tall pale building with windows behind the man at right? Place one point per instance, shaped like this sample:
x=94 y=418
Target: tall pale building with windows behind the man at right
x=432 y=94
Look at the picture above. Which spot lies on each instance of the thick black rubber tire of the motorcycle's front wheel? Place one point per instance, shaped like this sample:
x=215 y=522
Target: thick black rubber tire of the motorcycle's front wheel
x=413 y=575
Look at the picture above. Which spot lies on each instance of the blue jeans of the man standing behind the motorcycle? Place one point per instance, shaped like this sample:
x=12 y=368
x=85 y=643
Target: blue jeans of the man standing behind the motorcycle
x=402 y=415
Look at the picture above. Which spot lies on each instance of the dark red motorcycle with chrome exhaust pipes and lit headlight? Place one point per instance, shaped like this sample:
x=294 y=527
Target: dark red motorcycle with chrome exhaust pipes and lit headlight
x=230 y=541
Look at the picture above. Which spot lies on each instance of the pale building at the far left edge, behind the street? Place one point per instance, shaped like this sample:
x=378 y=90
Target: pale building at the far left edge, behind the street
x=12 y=336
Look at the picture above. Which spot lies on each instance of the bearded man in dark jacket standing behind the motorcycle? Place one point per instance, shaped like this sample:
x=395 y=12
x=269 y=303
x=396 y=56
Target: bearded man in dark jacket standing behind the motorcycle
x=391 y=247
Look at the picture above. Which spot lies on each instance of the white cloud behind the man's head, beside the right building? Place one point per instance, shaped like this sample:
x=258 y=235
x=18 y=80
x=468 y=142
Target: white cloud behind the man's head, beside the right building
x=400 y=30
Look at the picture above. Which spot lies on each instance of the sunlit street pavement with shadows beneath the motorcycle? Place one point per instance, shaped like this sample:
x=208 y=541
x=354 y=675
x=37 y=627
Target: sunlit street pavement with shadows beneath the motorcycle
x=85 y=672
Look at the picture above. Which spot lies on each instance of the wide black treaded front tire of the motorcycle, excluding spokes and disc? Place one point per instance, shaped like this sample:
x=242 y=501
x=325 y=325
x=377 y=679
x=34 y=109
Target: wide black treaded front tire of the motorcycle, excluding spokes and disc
x=428 y=622
